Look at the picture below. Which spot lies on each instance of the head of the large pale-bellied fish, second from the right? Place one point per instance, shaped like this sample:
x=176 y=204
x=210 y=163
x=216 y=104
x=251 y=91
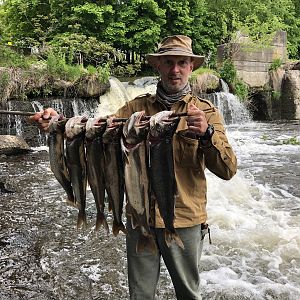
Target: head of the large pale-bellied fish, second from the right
x=136 y=128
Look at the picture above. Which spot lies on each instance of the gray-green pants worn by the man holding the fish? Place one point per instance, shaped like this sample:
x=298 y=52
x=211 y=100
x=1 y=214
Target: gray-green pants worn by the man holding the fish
x=182 y=264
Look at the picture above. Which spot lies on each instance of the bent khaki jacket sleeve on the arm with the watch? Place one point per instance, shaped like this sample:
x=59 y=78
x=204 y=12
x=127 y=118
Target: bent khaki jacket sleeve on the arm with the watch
x=219 y=156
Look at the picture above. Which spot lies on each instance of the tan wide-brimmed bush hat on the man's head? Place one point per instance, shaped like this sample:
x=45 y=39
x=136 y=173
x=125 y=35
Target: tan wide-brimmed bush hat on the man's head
x=179 y=45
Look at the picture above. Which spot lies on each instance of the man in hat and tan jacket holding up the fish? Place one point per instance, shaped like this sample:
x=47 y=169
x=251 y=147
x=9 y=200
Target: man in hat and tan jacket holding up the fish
x=199 y=142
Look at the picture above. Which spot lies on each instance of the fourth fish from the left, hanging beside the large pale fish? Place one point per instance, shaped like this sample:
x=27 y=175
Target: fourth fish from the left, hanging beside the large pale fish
x=114 y=172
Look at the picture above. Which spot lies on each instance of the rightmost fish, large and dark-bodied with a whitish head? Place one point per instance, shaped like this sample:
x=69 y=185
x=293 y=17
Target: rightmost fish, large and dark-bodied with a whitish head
x=162 y=175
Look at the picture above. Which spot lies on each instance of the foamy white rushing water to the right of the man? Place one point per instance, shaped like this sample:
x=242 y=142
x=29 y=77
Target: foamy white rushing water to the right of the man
x=255 y=218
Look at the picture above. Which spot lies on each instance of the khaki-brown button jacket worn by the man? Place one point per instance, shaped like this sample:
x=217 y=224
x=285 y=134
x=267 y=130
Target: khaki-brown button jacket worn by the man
x=190 y=159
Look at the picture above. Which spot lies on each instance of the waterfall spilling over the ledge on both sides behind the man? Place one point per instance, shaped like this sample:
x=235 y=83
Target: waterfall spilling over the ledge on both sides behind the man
x=230 y=106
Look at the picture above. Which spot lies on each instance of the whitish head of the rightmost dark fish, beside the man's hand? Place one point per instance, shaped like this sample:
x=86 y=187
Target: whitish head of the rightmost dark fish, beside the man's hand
x=163 y=123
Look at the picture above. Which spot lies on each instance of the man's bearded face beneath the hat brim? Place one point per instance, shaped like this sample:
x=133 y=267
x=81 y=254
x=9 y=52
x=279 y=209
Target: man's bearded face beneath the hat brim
x=174 y=72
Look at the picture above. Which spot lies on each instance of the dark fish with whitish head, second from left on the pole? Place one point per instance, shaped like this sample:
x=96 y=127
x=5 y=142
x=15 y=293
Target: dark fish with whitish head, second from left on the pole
x=76 y=163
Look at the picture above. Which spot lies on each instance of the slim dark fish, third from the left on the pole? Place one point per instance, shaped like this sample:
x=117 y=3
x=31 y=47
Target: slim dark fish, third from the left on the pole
x=95 y=128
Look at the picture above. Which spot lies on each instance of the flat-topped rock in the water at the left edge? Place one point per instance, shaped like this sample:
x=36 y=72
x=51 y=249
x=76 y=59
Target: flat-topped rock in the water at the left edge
x=12 y=145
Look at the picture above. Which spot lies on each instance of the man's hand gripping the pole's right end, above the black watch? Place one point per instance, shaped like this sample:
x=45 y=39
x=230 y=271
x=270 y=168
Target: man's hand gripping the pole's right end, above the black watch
x=196 y=120
